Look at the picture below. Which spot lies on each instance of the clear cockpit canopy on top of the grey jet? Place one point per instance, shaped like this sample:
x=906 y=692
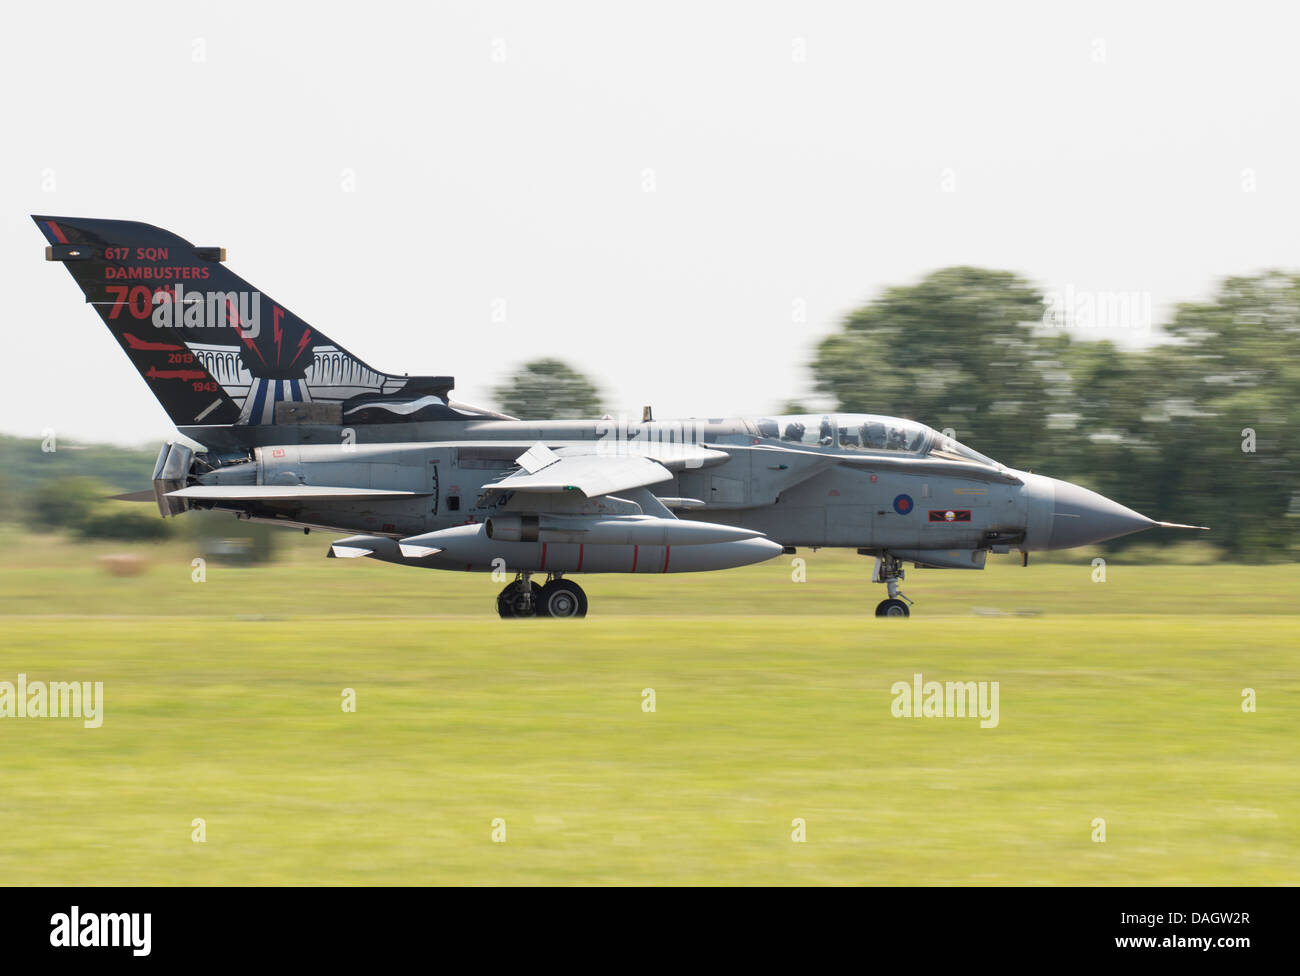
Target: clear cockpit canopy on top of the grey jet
x=866 y=432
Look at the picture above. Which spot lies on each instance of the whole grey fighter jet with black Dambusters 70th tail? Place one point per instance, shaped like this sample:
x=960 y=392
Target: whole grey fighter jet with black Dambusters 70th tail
x=297 y=431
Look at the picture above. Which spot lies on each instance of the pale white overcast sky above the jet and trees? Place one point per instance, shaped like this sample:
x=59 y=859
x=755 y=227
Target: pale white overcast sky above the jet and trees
x=652 y=192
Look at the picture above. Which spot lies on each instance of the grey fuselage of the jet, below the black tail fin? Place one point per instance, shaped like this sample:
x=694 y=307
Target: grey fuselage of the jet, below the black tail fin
x=948 y=514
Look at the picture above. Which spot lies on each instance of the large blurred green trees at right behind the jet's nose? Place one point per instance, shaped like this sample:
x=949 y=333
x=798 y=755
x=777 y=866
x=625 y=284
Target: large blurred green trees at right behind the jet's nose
x=1198 y=428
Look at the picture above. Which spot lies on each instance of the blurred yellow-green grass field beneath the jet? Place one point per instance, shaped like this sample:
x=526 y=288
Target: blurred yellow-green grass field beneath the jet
x=1120 y=701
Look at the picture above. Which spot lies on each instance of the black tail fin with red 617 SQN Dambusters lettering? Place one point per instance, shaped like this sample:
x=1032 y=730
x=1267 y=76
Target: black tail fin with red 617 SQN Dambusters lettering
x=216 y=352
